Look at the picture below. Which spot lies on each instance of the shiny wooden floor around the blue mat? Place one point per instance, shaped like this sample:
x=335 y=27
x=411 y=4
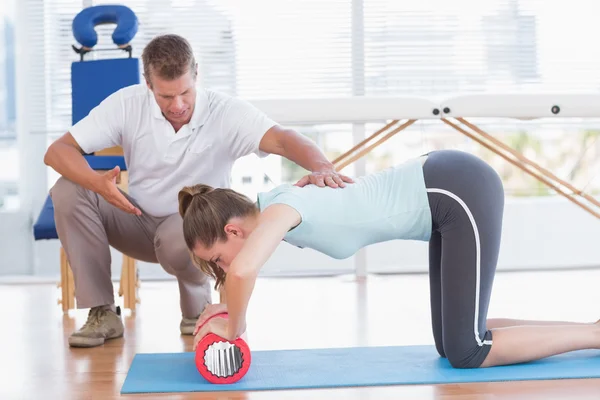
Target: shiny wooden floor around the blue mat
x=285 y=313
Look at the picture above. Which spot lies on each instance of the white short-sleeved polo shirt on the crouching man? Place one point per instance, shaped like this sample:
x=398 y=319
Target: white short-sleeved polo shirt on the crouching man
x=160 y=161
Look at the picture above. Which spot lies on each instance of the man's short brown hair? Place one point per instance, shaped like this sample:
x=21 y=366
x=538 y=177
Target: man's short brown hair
x=168 y=56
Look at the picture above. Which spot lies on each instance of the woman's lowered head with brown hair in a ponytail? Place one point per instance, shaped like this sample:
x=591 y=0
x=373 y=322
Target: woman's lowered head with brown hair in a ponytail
x=215 y=225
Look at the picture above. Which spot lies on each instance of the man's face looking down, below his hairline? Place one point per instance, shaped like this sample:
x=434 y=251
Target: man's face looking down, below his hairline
x=176 y=98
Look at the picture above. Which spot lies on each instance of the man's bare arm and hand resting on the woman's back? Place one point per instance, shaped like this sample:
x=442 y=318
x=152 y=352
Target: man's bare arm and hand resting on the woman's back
x=301 y=150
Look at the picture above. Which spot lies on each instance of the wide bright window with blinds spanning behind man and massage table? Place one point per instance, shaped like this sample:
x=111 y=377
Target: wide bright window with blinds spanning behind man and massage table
x=329 y=48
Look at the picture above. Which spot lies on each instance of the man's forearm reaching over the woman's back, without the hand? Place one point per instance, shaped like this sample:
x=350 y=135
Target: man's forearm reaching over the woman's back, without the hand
x=305 y=152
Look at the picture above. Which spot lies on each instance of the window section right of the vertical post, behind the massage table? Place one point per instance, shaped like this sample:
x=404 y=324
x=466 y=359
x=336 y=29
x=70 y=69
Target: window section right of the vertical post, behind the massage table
x=438 y=48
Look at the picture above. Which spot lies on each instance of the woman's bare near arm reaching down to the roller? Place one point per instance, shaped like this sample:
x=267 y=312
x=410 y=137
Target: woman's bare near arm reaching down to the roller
x=274 y=222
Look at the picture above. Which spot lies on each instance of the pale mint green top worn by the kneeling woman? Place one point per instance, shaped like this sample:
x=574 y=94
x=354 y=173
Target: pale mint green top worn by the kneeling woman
x=388 y=205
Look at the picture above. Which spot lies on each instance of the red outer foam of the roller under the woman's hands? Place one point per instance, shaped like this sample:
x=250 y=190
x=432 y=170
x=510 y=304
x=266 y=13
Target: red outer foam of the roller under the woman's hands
x=204 y=345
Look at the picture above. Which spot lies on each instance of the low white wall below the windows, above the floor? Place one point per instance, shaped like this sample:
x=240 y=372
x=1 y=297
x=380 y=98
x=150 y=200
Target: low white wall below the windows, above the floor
x=538 y=233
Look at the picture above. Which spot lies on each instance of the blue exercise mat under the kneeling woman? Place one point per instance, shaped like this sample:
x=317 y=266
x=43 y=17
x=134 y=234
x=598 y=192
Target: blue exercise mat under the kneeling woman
x=344 y=367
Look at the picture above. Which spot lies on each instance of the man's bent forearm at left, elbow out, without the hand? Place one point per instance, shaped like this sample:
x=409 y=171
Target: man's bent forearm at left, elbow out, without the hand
x=70 y=163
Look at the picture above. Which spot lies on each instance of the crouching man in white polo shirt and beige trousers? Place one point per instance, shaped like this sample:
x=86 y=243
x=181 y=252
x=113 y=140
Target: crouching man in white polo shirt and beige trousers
x=172 y=135
